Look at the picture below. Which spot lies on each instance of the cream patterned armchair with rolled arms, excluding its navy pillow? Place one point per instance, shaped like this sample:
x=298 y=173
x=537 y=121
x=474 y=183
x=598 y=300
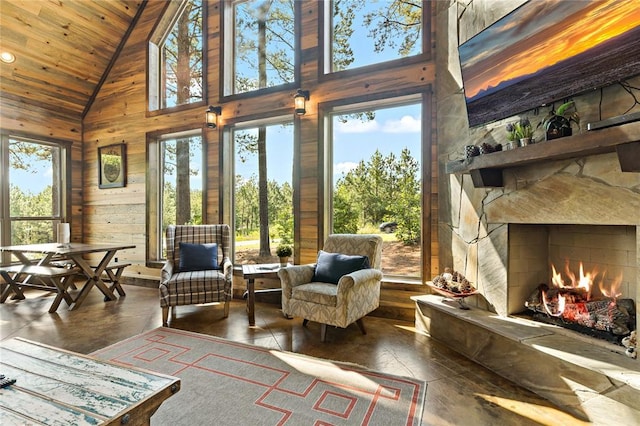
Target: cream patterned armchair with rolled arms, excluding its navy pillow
x=354 y=296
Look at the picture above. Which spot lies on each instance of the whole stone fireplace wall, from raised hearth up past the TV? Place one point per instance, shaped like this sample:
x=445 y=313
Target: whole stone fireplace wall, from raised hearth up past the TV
x=503 y=219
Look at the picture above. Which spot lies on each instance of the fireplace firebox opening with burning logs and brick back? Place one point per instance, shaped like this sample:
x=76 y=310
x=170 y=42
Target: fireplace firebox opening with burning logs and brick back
x=581 y=277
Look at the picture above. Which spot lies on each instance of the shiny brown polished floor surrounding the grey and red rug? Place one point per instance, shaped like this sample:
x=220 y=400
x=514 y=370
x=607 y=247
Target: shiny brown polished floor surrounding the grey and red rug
x=459 y=391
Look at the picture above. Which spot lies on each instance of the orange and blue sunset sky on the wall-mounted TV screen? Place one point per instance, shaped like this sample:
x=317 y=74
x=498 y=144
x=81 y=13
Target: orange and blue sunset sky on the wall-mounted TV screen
x=541 y=40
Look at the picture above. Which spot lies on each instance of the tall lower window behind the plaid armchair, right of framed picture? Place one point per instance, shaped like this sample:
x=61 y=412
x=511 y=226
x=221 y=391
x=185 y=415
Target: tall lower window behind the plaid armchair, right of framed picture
x=176 y=180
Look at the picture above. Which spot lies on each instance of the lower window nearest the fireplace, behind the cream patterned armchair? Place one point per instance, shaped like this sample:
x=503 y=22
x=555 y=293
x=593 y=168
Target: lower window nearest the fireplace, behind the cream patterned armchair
x=376 y=183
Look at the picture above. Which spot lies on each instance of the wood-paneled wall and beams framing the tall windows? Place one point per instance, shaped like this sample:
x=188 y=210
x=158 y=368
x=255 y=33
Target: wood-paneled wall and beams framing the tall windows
x=119 y=115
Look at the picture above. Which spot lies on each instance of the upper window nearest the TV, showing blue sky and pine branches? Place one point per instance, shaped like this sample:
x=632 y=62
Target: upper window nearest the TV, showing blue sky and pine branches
x=370 y=32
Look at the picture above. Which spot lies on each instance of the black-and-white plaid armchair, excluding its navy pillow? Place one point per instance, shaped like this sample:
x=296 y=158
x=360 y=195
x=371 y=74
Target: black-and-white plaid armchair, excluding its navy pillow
x=196 y=286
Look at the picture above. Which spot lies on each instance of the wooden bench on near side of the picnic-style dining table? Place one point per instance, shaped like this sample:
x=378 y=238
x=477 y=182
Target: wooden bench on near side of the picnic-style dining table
x=51 y=278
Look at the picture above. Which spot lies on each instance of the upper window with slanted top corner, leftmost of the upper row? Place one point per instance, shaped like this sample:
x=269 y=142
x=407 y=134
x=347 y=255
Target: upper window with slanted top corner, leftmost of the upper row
x=176 y=57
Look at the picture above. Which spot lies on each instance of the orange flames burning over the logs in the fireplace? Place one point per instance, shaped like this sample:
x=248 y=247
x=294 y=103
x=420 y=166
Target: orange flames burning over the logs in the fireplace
x=576 y=289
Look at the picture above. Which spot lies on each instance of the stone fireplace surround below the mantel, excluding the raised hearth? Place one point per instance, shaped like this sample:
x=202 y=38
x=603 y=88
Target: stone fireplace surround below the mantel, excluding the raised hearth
x=505 y=239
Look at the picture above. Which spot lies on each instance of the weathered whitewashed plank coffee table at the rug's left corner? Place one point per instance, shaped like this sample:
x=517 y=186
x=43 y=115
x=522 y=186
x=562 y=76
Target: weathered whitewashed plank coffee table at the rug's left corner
x=55 y=386
